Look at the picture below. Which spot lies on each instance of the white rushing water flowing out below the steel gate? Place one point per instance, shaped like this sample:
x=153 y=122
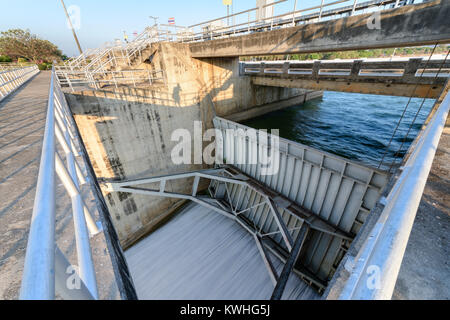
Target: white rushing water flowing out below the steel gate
x=200 y=254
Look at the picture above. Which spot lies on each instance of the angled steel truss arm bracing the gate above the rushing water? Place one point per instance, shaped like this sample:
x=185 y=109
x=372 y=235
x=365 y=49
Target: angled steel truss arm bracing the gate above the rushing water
x=225 y=175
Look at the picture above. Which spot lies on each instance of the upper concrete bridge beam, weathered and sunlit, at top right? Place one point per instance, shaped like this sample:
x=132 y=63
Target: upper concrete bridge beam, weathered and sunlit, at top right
x=413 y=25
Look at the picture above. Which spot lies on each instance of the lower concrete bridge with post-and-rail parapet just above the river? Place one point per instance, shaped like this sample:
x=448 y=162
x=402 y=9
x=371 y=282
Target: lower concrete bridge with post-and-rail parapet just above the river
x=415 y=77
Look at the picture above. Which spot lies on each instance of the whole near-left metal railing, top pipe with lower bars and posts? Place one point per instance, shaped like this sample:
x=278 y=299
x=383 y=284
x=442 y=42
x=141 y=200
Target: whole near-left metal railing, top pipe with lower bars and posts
x=45 y=265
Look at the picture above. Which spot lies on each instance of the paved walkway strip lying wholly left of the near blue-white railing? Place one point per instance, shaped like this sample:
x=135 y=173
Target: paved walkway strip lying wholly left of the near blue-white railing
x=22 y=122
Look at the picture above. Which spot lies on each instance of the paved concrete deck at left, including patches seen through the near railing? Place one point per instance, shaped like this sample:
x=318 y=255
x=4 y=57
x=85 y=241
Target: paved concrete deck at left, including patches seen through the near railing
x=22 y=123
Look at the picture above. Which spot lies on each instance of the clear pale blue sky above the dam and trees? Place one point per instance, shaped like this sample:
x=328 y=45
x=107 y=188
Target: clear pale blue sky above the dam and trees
x=105 y=20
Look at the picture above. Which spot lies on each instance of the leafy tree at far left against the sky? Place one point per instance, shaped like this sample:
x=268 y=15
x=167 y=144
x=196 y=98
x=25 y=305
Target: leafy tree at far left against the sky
x=18 y=43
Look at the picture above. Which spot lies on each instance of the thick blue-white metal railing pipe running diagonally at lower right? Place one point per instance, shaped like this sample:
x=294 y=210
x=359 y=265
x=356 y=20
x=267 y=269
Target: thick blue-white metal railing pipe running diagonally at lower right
x=374 y=273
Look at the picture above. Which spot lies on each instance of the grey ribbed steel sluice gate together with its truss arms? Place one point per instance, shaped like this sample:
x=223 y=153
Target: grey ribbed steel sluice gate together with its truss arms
x=304 y=215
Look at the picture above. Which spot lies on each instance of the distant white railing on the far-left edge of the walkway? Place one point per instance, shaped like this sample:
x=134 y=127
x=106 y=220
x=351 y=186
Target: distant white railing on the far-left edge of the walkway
x=13 y=76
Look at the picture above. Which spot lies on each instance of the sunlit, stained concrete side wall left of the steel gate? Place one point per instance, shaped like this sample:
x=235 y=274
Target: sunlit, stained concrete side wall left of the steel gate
x=127 y=131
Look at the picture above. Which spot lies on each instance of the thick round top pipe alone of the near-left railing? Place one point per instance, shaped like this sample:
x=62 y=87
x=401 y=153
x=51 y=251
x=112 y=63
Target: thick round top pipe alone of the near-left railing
x=38 y=275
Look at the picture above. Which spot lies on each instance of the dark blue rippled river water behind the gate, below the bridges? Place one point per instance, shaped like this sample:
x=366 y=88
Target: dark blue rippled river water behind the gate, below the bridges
x=354 y=126
